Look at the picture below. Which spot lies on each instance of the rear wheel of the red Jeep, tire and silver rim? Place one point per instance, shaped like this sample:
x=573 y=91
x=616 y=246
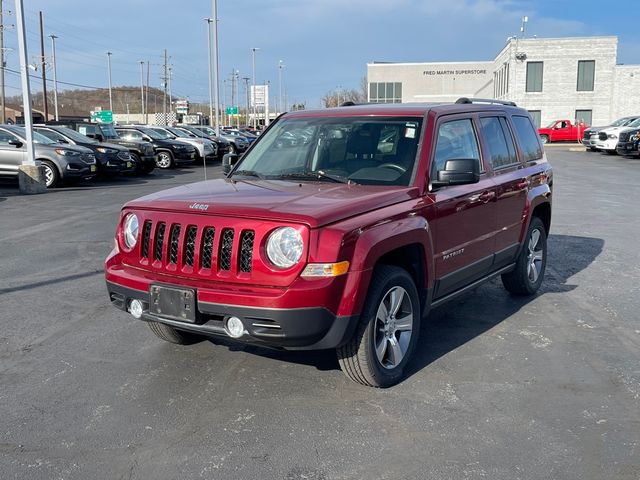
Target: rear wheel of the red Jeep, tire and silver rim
x=521 y=280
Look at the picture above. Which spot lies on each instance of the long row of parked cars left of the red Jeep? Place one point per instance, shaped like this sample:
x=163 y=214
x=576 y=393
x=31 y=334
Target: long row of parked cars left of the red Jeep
x=79 y=150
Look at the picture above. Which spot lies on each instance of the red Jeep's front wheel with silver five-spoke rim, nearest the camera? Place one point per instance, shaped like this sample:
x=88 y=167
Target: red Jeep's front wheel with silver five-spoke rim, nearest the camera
x=358 y=358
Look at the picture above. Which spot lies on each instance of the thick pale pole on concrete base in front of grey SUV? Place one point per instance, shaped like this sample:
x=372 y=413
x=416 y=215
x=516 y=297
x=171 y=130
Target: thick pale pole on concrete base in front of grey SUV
x=30 y=177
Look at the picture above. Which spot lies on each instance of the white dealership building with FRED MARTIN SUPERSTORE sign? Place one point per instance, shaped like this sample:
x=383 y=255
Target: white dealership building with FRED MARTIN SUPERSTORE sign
x=576 y=78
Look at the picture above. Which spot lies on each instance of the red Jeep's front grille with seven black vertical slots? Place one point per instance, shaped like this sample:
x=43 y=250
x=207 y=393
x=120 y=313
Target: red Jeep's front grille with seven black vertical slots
x=197 y=248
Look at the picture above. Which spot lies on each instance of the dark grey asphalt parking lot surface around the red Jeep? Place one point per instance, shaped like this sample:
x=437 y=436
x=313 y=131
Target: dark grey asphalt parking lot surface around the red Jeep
x=501 y=387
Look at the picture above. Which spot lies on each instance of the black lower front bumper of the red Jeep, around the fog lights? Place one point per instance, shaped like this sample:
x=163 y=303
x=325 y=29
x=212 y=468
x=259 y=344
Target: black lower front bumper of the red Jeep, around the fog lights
x=311 y=328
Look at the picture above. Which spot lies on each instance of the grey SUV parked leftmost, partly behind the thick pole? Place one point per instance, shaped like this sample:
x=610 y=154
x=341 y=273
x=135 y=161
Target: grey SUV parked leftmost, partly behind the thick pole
x=61 y=162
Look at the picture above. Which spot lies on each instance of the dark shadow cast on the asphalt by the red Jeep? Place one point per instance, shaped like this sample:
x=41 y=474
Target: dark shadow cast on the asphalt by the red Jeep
x=469 y=316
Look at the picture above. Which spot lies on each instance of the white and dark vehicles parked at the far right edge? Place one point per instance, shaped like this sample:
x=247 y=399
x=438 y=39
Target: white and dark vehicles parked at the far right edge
x=622 y=137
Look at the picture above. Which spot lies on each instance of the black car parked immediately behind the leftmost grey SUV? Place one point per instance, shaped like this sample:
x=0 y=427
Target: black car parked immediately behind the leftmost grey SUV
x=111 y=158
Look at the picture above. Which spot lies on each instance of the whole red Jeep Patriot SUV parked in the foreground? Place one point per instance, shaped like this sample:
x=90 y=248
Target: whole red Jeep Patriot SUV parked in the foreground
x=341 y=229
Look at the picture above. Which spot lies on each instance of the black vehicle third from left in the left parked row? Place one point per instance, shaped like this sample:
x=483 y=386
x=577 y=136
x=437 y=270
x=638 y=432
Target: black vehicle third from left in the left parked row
x=142 y=153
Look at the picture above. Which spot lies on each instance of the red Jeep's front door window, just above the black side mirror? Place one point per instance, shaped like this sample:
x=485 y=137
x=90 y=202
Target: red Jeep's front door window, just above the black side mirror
x=456 y=139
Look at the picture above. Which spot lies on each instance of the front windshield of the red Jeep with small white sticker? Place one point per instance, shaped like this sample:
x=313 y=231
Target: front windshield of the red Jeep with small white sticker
x=372 y=151
